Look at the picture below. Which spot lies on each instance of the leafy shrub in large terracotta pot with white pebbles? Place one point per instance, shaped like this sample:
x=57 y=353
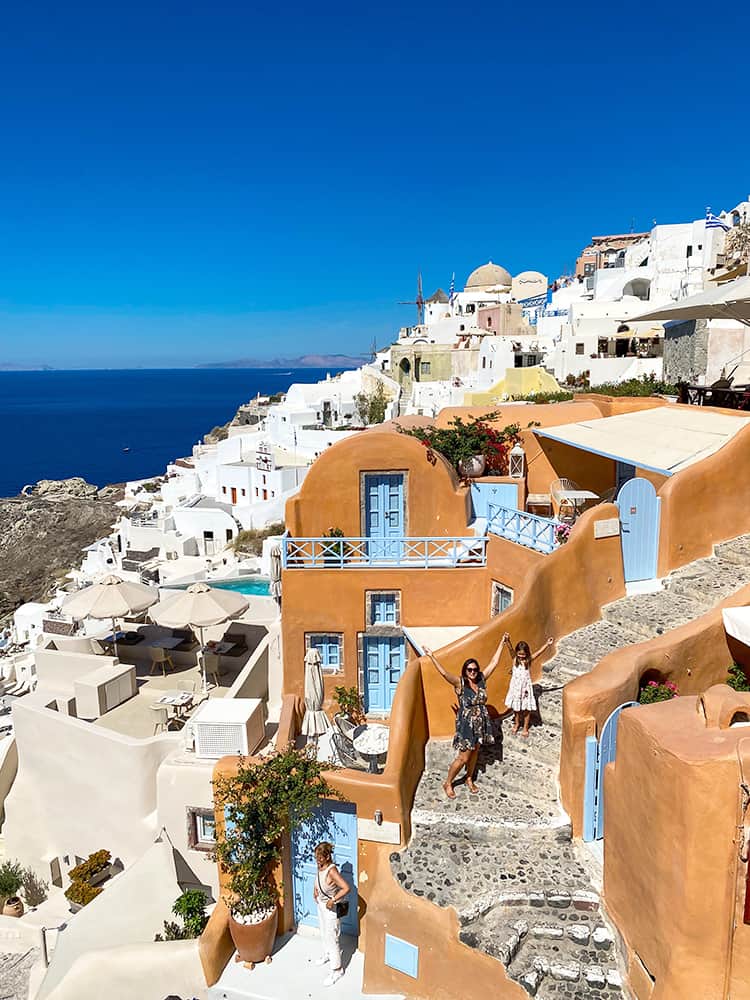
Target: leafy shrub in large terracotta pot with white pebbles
x=261 y=802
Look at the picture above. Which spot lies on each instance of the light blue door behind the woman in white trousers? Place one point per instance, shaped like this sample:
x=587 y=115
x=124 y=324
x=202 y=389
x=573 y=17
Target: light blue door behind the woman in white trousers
x=337 y=823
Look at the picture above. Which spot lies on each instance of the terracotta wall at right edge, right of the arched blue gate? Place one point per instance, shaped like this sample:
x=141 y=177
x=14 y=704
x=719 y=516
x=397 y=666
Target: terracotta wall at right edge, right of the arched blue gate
x=705 y=503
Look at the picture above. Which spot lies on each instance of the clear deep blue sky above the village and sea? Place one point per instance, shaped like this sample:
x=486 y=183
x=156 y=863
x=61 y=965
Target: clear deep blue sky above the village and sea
x=185 y=183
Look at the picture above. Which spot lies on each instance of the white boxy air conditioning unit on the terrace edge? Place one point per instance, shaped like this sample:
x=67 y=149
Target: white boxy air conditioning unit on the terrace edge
x=228 y=726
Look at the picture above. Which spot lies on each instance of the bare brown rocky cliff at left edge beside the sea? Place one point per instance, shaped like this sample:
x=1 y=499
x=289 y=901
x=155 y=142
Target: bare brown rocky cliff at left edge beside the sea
x=42 y=535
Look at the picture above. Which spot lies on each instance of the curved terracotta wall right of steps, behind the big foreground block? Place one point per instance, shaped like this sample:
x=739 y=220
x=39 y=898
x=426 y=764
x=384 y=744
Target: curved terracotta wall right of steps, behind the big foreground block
x=694 y=657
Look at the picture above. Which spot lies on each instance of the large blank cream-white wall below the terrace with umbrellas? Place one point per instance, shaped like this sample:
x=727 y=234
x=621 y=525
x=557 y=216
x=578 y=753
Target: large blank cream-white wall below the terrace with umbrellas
x=79 y=788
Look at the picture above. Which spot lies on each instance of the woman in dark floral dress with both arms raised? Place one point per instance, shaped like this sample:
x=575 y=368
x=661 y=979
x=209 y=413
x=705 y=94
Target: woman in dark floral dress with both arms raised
x=473 y=725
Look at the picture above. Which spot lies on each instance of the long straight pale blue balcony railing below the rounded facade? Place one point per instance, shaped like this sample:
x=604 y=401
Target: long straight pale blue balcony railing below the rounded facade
x=404 y=552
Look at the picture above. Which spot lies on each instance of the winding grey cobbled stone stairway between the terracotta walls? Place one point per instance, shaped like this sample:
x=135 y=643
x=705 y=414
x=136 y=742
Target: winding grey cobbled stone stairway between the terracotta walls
x=504 y=859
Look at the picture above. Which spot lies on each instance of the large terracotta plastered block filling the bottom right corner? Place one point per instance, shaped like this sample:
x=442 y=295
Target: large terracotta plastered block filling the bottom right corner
x=672 y=875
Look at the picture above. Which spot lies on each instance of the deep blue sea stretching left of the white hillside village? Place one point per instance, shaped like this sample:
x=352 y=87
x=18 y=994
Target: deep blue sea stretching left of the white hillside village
x=77 y=423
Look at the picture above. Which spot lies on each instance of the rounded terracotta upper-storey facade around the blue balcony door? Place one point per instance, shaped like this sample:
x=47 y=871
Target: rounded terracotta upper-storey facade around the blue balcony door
x=330 y=495
